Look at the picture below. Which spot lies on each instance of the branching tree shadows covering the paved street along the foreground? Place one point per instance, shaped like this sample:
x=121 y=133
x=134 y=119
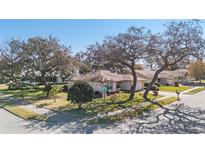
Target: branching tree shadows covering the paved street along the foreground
x=177 y=119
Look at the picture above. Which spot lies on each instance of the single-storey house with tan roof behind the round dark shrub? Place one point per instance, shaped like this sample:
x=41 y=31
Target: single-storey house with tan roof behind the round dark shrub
x=113 y=81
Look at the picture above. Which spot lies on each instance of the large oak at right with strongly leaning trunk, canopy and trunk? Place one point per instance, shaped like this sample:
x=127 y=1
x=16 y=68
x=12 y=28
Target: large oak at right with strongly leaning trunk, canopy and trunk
x=181 y=41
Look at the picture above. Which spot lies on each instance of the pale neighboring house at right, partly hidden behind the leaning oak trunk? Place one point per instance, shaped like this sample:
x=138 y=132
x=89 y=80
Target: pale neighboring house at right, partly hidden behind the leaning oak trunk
x=165 y=77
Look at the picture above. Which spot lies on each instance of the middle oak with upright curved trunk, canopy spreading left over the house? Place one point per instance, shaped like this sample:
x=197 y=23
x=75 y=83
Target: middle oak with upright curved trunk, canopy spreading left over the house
x=120 y=52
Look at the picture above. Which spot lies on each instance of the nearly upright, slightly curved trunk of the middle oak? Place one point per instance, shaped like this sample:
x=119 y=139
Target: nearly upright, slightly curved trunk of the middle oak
x=133 y=87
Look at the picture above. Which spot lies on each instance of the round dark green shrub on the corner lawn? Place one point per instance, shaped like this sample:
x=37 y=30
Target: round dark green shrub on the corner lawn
x=81 y=92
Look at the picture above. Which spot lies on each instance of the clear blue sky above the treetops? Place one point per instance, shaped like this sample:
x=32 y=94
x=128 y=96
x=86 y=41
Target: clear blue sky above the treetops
x=77 y=33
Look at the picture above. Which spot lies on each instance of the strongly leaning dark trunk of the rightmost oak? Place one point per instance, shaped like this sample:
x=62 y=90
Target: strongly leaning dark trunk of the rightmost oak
x=149 y=87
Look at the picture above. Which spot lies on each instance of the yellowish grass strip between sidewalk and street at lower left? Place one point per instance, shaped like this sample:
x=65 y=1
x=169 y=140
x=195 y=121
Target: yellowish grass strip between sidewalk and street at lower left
x=21 y=112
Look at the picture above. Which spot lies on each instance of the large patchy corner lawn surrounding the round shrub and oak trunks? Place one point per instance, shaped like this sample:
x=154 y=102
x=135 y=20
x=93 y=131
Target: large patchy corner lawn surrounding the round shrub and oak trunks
x=97 y=106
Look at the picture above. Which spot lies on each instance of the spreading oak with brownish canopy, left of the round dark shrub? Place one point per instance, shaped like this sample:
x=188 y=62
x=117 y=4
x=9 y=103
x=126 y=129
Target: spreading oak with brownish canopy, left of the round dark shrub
x=47 y=58
